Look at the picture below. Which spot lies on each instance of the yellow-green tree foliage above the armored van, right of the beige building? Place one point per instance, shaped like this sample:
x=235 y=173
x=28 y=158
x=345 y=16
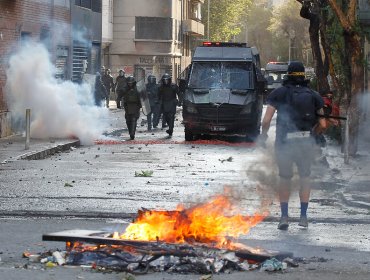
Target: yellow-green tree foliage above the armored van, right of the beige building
x=225 y=18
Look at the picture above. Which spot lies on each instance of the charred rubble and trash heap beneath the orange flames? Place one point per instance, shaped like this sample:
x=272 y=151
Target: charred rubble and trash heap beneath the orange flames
x=183 y=259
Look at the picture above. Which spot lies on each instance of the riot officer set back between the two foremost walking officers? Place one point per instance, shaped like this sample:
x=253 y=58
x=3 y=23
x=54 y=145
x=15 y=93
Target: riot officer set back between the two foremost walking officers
x=152 y=93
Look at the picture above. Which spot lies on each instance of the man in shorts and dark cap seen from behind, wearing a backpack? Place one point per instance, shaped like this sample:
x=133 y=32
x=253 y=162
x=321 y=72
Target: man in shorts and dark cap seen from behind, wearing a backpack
x=297 y=121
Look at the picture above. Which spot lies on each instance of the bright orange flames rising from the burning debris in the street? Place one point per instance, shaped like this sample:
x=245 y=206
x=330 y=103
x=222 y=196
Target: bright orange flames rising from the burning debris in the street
x=215 y=222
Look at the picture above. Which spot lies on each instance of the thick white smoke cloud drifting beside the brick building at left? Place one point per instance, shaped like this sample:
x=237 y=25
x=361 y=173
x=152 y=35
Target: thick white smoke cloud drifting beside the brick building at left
x=58 y=109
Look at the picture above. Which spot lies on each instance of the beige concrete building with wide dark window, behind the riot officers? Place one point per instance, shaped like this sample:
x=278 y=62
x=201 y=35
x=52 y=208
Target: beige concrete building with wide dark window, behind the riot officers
x=153 y=37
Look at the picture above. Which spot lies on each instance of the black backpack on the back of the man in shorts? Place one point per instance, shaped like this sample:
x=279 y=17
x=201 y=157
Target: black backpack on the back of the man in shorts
x=303 y=109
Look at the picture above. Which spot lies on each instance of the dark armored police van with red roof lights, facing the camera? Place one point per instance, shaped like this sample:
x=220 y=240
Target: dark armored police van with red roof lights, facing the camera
x=223 y=91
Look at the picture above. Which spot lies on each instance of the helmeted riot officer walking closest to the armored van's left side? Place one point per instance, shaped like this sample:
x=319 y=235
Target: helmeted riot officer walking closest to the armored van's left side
x=167 y=95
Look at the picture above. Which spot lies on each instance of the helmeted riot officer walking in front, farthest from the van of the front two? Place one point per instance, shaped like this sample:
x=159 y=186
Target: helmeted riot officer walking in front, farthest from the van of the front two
x=131 y=105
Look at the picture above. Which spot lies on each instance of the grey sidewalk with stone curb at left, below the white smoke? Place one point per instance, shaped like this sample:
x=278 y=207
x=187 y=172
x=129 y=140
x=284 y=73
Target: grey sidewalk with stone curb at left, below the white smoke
x=13 y=148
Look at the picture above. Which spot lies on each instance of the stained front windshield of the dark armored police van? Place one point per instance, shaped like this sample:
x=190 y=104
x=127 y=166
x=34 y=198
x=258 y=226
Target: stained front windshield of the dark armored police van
x=230 y=75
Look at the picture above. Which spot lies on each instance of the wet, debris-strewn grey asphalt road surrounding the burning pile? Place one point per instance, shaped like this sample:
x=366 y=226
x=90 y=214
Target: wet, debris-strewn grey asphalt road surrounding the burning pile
x=95 y=187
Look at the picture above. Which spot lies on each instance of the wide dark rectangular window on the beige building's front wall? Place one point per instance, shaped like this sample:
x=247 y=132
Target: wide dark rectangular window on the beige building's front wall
x=154 y=28
